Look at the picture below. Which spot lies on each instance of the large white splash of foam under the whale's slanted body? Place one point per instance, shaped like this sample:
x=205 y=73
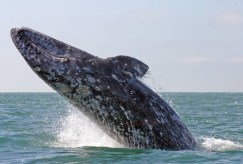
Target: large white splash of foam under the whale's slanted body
x=76 y=130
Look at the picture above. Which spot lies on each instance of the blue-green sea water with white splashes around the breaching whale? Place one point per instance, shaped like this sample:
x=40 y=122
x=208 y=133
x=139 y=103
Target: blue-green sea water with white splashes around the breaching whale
x=43 y=128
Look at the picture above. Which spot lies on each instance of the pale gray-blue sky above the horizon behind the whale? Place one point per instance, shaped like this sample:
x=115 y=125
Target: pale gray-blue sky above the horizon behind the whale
x=190 y=45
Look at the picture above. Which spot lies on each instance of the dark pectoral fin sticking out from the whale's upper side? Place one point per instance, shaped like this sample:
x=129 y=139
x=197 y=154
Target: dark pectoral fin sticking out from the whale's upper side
x=130 y=66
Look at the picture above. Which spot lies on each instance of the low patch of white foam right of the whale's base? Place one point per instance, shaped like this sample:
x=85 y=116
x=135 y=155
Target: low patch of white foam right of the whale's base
x=214 y=144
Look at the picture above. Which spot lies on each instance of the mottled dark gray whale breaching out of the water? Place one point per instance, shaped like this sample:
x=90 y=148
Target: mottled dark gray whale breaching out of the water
x=107 y=91
